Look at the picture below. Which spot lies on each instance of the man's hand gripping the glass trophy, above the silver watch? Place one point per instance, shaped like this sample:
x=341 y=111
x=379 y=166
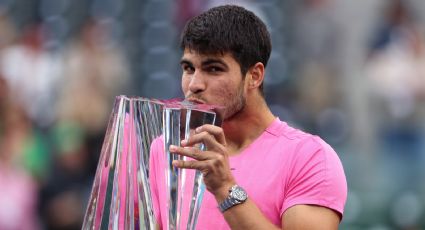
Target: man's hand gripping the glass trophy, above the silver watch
x=213 y=163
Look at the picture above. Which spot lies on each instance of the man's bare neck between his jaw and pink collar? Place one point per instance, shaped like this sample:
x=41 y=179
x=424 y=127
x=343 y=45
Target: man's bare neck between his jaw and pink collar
x=246 y=126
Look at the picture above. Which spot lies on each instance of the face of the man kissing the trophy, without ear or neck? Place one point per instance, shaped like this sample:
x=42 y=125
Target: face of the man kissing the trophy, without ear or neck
x=211 y=79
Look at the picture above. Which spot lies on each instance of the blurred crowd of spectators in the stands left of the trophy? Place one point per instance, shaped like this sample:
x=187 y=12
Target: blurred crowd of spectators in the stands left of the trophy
x=54 y=107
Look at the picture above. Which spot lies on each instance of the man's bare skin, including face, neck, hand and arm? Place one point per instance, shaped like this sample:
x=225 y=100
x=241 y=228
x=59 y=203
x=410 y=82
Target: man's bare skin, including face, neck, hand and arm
x=217 y=79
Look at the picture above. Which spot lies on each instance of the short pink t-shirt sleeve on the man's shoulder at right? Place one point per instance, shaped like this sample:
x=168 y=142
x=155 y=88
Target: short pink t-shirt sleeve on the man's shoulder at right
x=316 y=177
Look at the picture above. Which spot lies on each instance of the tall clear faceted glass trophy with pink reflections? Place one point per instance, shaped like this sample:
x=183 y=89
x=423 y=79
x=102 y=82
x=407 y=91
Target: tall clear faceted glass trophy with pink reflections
x=121 y=196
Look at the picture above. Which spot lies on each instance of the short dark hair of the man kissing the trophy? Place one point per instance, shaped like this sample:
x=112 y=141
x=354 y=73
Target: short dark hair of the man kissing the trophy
x=229 y=28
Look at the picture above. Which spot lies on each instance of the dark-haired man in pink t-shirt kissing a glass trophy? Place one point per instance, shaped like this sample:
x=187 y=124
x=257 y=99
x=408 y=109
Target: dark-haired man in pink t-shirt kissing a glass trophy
x=259 y=172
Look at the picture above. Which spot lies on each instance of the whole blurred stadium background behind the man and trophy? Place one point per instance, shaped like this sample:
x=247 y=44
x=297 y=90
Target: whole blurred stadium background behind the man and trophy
x=352 y=72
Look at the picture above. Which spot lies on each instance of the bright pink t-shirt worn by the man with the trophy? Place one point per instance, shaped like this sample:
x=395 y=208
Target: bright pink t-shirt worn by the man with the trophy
x=283 y=167
